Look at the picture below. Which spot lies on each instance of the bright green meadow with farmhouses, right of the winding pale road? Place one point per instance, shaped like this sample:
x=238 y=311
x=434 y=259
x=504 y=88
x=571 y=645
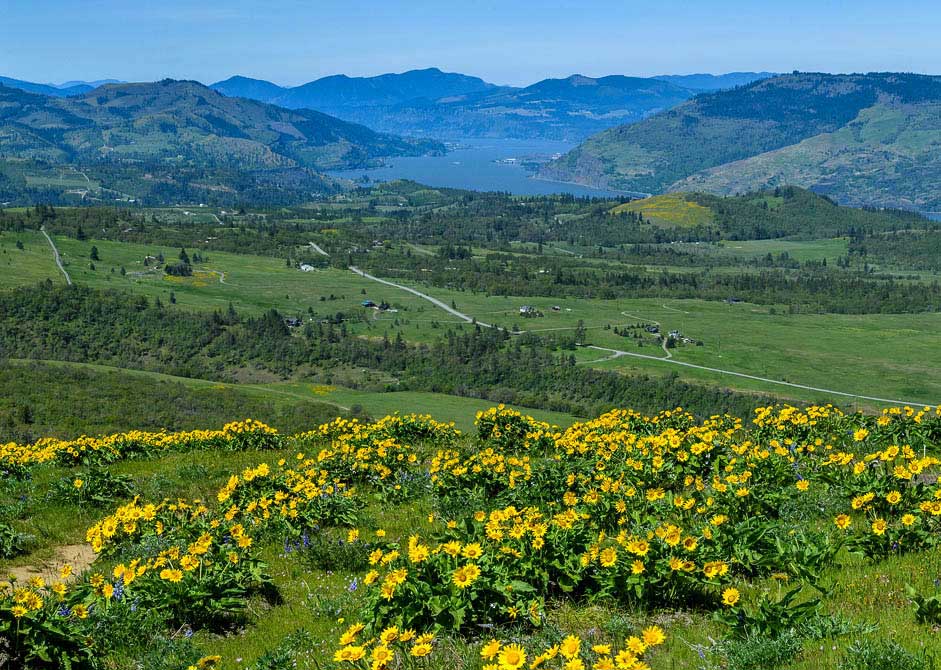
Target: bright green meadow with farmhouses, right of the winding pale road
x=890 y=356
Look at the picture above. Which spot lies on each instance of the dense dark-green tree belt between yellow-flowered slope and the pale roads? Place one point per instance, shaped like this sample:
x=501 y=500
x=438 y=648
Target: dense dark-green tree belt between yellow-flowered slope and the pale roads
x=79 y=324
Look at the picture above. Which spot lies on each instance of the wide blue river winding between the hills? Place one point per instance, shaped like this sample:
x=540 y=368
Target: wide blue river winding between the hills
x=481 y=165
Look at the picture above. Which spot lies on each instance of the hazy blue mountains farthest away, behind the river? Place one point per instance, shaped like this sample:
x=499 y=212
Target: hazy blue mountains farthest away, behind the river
x=446 y=105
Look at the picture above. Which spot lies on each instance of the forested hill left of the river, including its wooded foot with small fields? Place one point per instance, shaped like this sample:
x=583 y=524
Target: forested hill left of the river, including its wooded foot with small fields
x=181 y=140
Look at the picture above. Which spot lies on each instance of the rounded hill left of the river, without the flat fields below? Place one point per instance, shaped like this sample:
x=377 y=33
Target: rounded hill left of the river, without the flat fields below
x=181 y=122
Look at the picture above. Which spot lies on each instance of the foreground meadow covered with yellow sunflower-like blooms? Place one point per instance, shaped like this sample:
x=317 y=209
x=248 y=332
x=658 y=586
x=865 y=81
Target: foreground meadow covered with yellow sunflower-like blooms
x=824 y=579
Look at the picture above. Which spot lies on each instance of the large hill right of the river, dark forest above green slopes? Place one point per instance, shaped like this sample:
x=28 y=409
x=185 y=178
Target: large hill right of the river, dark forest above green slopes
x=863 y=139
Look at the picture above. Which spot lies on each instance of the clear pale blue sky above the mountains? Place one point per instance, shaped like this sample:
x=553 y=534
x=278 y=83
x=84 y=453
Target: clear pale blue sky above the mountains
x=507 y=42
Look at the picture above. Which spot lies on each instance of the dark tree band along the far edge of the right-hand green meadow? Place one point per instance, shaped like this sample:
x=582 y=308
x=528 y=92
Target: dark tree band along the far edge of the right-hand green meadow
x=812 y=287
